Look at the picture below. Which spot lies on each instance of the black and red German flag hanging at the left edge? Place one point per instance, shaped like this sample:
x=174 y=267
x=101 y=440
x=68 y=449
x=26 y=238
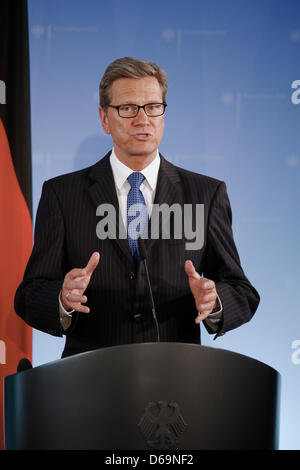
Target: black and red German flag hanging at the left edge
x=15 y=185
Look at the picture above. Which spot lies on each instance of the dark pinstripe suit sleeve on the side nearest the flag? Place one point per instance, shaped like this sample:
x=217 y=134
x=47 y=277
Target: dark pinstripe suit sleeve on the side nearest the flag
x=36 y=299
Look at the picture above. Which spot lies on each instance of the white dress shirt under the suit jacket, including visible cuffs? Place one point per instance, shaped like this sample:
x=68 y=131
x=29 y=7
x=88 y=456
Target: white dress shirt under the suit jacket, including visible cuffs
x=148 y=188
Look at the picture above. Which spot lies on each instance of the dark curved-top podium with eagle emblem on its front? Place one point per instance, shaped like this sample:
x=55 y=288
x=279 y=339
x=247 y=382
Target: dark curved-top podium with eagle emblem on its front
x=144 y=396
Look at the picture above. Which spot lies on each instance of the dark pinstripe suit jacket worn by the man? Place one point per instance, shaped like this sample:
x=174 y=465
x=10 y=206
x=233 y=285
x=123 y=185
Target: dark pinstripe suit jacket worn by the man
x=120 y=310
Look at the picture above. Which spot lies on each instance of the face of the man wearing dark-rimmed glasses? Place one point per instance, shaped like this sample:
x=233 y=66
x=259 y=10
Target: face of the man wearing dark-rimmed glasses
x=139 y=137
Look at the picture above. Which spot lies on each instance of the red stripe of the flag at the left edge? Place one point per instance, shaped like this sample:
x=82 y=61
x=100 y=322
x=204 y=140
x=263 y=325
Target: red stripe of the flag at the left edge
x=15 y=248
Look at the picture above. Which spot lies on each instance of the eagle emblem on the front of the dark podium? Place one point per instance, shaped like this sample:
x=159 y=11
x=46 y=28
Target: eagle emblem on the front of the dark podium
x=162 y=425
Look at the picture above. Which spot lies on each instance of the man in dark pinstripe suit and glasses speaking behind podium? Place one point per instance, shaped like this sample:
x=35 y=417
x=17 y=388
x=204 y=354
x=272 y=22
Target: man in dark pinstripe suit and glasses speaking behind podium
x=92 y=287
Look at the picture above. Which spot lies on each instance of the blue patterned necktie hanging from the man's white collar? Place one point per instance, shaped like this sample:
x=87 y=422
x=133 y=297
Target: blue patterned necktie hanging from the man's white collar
x=137 y=216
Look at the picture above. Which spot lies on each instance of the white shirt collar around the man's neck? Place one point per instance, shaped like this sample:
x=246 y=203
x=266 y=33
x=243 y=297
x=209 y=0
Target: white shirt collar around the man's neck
x=121 y=171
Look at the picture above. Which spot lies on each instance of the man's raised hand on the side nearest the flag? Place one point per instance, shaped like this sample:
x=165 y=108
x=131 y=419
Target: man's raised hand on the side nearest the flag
x=75 y=283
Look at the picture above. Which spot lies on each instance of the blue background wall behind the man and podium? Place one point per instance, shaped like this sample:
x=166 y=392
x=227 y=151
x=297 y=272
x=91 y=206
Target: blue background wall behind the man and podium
x=230 y=115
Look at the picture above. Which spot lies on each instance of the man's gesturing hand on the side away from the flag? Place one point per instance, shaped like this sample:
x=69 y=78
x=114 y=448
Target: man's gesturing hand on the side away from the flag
x=203 y=290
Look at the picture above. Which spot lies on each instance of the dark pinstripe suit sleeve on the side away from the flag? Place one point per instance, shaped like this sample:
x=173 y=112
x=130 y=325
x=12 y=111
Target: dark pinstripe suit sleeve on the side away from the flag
x=222 y=264
